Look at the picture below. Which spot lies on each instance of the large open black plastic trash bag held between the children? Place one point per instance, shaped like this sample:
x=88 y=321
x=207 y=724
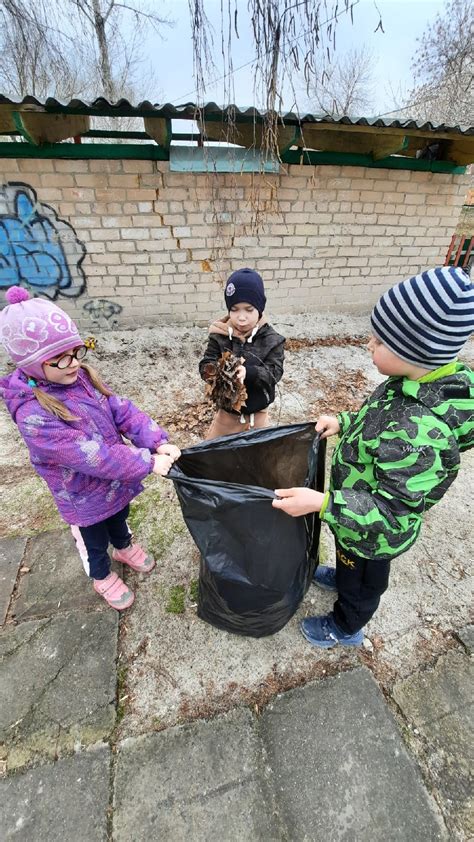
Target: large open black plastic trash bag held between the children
x=256 y=562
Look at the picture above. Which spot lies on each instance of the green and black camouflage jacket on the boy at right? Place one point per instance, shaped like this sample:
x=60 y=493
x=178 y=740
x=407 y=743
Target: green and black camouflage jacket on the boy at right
x=396 y=457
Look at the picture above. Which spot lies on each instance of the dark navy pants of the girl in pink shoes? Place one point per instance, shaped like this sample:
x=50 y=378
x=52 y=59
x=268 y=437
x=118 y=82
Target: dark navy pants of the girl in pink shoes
x=113 y=530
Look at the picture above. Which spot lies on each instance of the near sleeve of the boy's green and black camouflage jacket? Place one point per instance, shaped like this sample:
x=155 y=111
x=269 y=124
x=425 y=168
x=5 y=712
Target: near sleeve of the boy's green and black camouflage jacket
x=404 y=475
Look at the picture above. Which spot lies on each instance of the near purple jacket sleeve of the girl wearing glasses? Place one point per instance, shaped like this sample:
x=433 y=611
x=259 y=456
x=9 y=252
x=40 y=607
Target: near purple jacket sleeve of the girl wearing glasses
x=54 y=442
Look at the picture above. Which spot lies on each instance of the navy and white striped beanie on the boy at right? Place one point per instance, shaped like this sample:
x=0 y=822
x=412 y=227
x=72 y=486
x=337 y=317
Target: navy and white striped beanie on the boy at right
x=427 y=319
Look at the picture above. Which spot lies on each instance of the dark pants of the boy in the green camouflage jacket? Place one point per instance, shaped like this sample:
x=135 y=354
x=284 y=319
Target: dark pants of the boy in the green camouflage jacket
x=360 y=584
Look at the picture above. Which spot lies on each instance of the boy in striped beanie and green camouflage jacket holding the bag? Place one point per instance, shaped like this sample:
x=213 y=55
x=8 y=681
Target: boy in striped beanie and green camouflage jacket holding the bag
x=398 y=455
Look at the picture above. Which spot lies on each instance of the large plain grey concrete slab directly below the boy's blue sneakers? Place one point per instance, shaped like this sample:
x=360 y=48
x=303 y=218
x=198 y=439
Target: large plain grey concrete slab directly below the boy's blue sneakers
x=340 y=767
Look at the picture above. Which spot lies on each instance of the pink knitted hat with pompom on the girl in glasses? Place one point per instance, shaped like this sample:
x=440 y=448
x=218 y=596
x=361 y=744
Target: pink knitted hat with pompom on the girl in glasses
x=33 y=330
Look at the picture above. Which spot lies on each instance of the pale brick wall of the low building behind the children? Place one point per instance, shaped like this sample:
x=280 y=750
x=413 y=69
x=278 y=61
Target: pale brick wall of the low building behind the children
x=159 y=244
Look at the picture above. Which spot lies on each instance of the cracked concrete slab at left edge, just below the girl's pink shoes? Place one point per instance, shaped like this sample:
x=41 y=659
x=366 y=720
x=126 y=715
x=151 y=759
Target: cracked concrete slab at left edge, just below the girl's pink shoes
x=58 y=685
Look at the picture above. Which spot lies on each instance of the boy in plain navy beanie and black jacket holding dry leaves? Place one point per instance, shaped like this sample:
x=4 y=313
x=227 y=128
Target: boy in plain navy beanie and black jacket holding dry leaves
x=246 y=333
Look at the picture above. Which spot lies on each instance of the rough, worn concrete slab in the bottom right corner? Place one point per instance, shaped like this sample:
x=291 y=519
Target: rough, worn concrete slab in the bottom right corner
x=438 y=705
